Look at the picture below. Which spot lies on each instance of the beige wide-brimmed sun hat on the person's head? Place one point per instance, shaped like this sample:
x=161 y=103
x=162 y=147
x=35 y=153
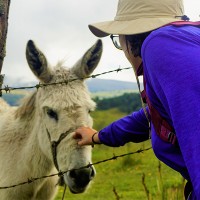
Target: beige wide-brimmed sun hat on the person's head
x=139 y=16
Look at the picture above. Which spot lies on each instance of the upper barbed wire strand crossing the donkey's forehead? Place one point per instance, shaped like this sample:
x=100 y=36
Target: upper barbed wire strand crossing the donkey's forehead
x=37 y=86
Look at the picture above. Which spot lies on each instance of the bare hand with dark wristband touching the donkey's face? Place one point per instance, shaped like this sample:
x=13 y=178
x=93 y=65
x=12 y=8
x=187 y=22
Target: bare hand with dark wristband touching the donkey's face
x=86 y=136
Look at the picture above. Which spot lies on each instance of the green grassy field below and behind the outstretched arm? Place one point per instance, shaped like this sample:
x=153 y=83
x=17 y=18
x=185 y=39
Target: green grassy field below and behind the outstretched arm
x=135 y=177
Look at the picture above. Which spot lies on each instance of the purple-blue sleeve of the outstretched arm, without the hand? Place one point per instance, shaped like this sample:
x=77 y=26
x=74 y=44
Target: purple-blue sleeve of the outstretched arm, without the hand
x=131 y=128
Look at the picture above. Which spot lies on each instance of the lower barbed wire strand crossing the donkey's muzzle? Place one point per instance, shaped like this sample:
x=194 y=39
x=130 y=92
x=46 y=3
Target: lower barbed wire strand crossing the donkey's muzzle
x=61 y=173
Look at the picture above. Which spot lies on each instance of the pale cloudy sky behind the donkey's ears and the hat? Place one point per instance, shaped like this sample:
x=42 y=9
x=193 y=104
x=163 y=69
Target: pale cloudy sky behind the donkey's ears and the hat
x=60 y=30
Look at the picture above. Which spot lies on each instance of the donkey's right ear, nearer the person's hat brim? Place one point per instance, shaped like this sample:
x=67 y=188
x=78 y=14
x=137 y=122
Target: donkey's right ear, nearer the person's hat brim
x=86 y=65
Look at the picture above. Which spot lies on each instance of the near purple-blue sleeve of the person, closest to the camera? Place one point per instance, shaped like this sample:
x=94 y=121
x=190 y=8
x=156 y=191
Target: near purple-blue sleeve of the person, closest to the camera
x=173 y=74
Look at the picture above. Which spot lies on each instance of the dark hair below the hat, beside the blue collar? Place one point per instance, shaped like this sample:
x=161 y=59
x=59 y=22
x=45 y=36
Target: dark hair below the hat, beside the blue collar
x=136 y=42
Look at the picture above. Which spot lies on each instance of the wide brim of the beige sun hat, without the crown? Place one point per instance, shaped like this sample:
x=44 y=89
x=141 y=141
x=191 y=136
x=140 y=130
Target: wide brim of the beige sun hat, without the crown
x=103 y=29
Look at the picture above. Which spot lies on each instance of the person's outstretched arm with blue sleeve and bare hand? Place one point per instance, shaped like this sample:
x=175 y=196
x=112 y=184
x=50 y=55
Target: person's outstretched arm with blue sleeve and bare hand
x=131 y=128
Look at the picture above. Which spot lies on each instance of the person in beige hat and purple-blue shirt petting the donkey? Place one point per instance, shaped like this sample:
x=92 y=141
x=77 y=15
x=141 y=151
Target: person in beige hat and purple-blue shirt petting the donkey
x=159 y=41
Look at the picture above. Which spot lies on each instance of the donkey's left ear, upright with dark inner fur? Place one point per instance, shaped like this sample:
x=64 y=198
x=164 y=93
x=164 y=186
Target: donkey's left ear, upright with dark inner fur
x=37 y=62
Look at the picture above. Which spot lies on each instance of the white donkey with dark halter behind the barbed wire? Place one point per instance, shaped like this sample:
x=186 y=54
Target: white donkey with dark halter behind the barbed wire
x=36 y=138
